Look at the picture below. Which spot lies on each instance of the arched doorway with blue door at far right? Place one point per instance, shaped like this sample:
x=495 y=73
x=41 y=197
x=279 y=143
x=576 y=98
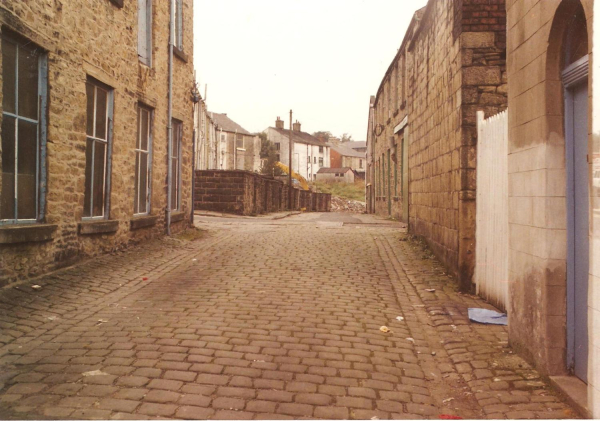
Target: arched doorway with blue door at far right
x=575 y=82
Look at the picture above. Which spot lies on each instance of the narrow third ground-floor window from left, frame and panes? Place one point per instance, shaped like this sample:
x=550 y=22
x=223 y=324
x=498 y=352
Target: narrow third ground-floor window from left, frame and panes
x=143 y=162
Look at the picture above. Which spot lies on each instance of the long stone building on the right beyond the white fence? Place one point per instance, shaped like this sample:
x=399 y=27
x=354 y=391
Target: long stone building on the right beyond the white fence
x=422 y=148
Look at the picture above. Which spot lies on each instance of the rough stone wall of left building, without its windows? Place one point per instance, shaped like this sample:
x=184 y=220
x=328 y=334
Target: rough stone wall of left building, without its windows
x=98 y=39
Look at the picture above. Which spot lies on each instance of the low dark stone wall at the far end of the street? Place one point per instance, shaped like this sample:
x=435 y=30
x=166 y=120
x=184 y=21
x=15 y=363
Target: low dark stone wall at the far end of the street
x=248 y=193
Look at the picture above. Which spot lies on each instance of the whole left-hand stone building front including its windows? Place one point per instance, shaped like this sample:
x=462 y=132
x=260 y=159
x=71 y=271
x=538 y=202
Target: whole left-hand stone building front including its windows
x=84 y=116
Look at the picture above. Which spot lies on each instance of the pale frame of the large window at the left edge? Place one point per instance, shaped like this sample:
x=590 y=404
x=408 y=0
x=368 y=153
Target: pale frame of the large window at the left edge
x=41 y=123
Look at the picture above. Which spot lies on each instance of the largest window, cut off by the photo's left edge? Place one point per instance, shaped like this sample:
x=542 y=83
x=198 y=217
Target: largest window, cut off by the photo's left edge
x=23 y=144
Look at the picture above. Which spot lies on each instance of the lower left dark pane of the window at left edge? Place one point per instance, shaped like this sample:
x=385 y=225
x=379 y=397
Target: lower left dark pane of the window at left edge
x=7 y=194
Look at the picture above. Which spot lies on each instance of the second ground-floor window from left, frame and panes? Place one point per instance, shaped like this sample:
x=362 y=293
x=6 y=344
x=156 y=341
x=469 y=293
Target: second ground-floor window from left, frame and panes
x=98 y=149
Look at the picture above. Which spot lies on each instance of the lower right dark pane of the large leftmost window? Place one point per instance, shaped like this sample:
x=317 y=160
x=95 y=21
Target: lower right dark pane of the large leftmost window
x=27 y=169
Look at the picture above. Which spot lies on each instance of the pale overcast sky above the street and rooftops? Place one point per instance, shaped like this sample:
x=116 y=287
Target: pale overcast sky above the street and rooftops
x=321 y=58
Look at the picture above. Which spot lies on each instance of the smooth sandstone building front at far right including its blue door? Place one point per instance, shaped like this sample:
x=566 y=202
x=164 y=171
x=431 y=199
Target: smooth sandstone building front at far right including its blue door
x=554 y=180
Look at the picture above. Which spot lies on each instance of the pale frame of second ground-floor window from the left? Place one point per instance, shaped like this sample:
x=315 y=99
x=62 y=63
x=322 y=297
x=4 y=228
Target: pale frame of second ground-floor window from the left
x=108 y=157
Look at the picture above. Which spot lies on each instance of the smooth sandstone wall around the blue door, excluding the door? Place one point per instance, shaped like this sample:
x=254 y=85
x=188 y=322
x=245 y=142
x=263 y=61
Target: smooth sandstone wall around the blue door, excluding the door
x=537 y=183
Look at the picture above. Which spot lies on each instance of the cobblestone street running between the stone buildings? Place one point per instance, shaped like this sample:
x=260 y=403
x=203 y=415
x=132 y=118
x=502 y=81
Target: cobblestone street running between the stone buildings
x=261 y=318
